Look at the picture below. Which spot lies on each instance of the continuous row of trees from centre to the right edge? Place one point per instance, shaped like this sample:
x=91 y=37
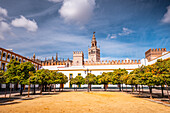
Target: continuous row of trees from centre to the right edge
x=151 y=75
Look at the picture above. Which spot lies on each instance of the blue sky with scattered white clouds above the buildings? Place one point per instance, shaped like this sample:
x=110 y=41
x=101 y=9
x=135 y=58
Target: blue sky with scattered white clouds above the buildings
x=124 y=28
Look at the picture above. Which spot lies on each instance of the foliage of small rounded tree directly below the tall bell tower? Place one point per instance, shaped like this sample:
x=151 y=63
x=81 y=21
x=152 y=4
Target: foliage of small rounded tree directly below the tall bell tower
x=90 y=79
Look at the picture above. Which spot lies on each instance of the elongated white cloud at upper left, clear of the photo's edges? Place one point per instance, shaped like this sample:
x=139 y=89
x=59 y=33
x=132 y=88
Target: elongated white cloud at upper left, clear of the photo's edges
x=25 y=23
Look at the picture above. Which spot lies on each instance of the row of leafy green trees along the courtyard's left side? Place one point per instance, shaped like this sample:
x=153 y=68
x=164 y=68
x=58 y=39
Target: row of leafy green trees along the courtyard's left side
x=25 y=74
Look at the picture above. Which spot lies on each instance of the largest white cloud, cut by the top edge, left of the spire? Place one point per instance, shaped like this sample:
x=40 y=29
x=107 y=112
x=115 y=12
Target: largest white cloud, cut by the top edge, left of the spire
x=78 y=11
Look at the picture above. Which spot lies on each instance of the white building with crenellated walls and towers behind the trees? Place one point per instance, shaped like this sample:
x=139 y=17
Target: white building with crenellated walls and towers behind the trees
x=94 y=65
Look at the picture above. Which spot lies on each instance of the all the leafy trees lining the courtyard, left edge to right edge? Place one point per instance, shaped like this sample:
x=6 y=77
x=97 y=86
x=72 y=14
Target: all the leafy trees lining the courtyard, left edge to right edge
x=151 y=75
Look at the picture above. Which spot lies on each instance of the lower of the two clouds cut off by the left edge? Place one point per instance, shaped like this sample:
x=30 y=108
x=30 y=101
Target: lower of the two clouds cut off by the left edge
x=4 y=28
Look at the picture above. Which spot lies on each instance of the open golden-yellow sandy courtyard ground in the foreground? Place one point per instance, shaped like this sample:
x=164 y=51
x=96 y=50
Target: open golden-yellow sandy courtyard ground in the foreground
x=83 y=102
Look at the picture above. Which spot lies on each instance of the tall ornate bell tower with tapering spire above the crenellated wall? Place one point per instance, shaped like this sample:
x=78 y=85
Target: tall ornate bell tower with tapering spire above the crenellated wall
x=94 y=52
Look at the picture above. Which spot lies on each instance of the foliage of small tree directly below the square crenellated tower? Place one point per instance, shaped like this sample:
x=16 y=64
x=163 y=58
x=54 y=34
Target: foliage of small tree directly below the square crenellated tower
x=77 y=80
